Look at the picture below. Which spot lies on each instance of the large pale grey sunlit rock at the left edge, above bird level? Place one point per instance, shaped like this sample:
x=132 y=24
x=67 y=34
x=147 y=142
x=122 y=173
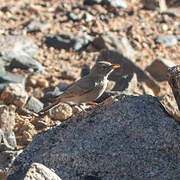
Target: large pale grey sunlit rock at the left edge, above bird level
x=20 y=51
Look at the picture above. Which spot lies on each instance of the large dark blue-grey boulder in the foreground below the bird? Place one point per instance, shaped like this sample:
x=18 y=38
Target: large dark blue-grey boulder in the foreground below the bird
x=133 y=138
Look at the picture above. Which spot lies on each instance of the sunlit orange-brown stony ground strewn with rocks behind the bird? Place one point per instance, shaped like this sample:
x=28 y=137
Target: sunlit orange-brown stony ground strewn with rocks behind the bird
x=46 y=45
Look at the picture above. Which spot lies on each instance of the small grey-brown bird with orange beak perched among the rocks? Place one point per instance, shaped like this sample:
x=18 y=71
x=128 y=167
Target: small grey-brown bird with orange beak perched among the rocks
x=86 y=89
